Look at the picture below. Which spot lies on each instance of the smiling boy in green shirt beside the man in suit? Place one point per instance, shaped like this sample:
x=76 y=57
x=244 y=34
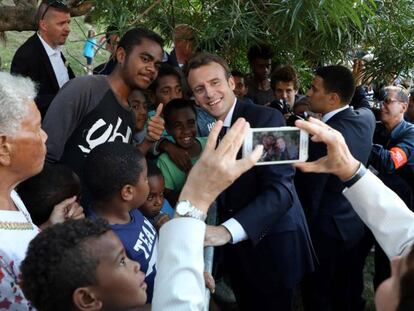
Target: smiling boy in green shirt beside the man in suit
x=181 y=124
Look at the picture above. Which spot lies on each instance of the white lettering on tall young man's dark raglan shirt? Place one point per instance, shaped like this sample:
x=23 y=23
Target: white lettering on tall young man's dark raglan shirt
x=107 y=136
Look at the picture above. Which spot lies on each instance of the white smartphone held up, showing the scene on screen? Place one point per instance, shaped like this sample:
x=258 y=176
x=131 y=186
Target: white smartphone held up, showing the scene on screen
x=281 y=145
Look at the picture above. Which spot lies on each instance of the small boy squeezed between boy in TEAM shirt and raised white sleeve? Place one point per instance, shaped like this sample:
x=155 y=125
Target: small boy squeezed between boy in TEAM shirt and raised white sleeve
x=156 y=209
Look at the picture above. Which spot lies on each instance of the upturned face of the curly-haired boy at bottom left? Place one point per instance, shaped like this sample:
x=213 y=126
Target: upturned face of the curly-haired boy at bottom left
x=120 y=283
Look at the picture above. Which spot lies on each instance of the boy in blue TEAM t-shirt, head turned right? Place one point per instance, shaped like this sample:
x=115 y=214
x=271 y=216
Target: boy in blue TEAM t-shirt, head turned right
x=116 y=177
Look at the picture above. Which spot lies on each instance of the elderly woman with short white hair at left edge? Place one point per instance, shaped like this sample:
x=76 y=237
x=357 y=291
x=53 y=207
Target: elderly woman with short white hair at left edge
x=22 y=154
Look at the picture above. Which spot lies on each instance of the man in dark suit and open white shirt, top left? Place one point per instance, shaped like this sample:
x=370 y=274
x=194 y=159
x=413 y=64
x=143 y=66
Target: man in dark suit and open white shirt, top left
x=40 y=57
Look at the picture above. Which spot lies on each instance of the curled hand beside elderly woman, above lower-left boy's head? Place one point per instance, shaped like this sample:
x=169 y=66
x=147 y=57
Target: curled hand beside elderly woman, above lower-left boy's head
x=61 y=211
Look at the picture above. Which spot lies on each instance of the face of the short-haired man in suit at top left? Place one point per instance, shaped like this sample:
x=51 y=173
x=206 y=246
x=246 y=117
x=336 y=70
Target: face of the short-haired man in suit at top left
x=54 y=27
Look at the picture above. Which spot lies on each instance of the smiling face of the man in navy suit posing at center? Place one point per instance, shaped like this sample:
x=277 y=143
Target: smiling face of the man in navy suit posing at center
x=212 y=89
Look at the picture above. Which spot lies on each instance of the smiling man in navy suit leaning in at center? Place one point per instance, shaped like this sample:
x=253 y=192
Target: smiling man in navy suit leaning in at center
x=267 y=247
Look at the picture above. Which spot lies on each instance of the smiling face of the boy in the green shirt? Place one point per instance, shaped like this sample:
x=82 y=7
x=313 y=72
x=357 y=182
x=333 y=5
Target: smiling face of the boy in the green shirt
x=182 y=126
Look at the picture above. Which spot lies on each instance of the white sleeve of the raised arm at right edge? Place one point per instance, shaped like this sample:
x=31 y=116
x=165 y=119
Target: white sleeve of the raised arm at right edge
x=387 y=216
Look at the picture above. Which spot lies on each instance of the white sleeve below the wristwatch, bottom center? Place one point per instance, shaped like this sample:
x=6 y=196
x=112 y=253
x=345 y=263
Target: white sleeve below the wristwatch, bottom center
x=179 y=283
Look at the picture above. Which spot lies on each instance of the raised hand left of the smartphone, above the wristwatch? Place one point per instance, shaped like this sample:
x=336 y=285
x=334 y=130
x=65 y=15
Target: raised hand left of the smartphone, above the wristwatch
x=218 y=168
